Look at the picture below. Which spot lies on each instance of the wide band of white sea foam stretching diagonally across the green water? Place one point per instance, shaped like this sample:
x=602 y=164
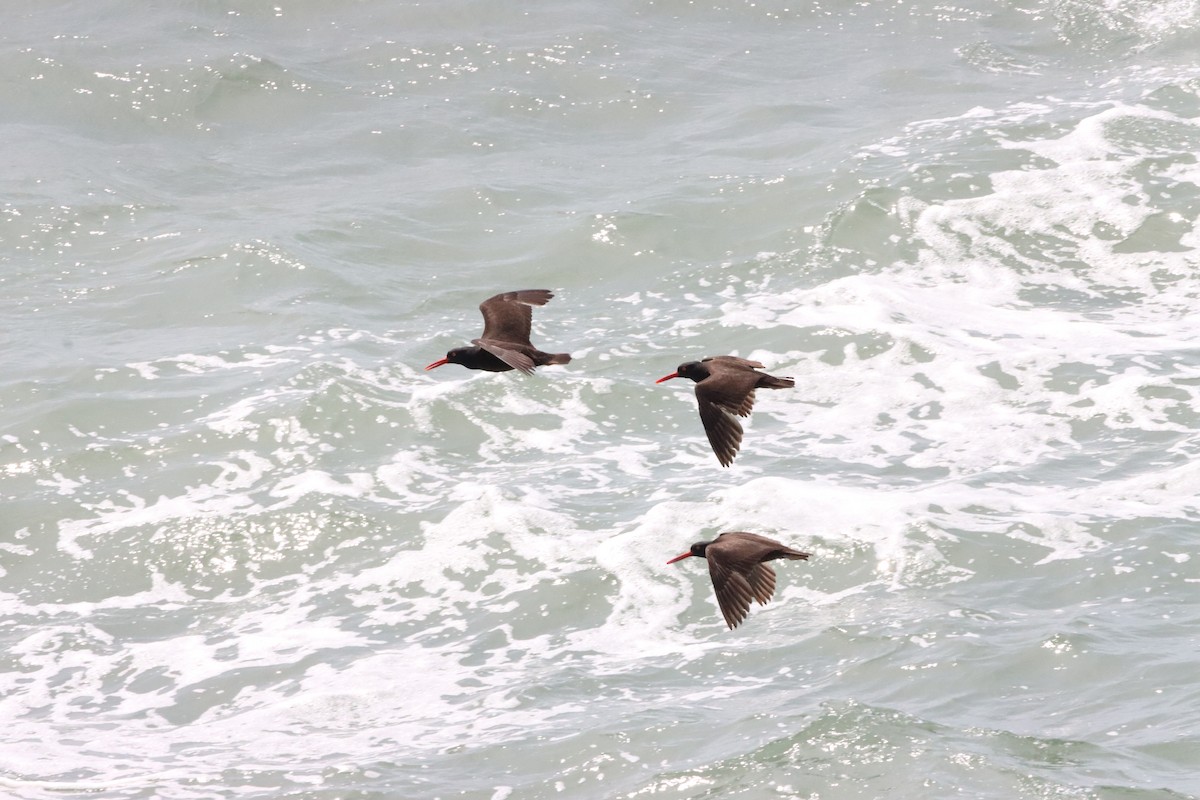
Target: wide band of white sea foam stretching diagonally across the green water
x=950 y=372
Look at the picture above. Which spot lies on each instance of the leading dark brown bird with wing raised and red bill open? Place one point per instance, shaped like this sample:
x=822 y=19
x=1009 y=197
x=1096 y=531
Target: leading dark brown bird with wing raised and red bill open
x=505 y=344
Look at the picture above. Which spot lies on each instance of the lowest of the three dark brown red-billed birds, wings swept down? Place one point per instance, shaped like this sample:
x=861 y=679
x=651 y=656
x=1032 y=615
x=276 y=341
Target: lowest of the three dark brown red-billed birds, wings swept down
x=737 y=567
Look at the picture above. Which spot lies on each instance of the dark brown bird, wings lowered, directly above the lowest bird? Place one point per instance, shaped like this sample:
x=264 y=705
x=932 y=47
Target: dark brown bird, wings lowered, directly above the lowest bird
x=725 y=387
